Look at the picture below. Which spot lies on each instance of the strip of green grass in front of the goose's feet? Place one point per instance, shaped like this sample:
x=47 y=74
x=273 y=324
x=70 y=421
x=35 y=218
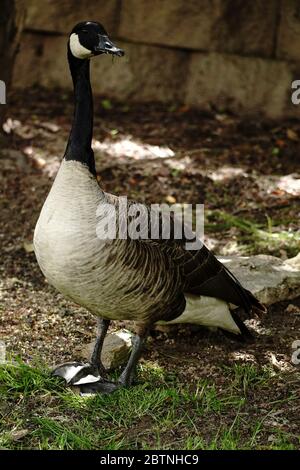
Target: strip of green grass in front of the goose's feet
x=39 y=412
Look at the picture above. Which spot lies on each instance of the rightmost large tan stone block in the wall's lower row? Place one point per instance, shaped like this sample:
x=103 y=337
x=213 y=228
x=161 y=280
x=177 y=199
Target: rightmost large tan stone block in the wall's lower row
x=239 y=83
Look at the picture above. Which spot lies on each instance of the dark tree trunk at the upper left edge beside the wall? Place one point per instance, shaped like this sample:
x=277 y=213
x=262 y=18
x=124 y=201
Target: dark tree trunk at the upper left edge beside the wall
x=11 y=25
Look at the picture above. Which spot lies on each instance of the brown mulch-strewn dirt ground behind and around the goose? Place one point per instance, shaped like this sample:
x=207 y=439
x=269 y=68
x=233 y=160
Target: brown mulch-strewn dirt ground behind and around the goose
x=242 y=168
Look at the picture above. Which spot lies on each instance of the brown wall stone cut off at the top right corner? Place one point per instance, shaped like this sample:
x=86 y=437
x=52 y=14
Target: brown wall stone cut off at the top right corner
x=288 y=42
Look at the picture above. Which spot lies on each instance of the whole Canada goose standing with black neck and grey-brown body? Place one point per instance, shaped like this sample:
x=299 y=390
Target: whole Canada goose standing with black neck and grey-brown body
x=121 y=279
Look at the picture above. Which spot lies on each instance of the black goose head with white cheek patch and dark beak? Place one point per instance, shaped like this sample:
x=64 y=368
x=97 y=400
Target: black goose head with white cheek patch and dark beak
x=89 y=39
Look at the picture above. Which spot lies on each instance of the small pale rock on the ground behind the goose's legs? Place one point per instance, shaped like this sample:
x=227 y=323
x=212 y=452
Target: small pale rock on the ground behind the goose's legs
x=116 y=349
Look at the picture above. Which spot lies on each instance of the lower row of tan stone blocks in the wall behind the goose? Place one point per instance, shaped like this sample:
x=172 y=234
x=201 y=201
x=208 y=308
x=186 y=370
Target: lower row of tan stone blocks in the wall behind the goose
x=165 y=74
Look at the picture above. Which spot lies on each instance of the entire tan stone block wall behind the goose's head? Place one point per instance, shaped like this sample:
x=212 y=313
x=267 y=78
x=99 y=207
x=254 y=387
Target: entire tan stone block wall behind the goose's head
x=200 y=53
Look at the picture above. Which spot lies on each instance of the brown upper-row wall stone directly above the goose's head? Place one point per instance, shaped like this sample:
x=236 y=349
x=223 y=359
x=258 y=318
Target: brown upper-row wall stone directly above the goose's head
x=60 y=16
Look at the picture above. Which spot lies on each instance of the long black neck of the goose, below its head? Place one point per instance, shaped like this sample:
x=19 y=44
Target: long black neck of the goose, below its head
x=79 y=145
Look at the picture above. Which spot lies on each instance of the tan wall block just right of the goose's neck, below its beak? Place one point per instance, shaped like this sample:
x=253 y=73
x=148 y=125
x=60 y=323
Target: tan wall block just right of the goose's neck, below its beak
x=145 y=73
